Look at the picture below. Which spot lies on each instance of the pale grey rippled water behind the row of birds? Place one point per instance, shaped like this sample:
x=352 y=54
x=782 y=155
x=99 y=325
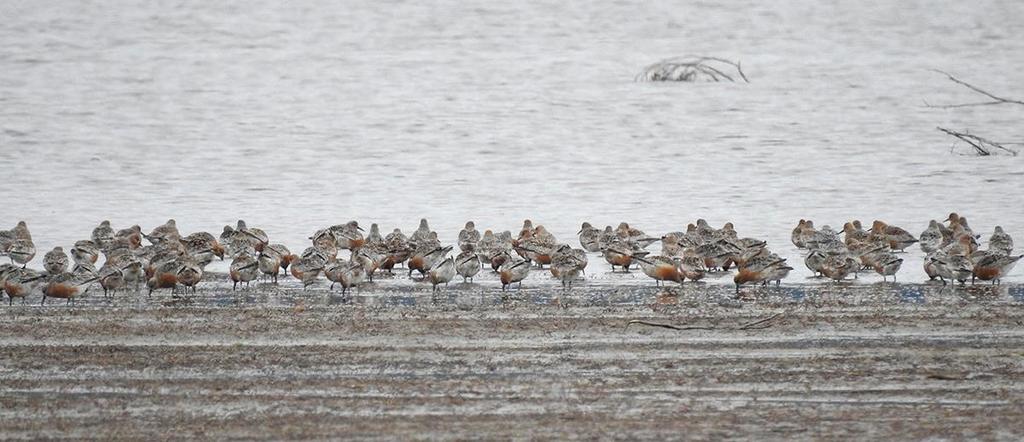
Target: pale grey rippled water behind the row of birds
x=296 y=118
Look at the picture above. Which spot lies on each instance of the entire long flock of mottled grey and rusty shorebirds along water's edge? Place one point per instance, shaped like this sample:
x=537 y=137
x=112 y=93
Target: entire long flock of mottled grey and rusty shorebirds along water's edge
x=178 y=262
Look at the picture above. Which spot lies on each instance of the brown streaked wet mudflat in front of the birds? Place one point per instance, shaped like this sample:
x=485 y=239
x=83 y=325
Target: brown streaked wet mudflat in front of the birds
x=393 y=361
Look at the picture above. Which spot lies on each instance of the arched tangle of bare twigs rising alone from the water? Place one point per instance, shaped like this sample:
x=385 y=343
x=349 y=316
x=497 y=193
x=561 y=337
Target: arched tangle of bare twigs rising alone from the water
x=694 y=69
